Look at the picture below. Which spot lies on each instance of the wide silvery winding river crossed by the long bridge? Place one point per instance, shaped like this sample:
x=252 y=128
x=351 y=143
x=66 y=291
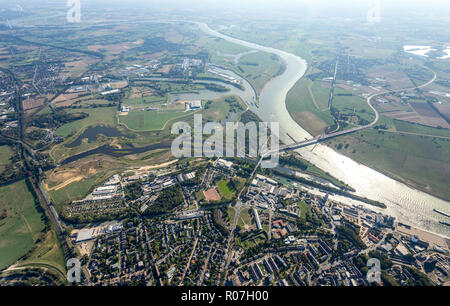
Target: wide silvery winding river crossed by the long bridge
x=408 y=205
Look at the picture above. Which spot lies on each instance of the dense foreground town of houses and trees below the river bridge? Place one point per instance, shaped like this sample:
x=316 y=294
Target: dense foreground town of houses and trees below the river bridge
x=282 y=235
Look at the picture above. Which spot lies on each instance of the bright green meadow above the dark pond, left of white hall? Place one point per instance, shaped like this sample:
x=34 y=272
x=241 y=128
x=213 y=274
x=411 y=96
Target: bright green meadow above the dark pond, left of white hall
x=103 y=115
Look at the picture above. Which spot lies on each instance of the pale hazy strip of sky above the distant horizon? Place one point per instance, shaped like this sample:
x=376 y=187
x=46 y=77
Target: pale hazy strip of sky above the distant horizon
x=311 y=8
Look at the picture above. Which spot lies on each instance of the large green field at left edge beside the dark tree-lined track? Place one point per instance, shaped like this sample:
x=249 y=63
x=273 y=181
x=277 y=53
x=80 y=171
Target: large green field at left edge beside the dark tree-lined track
x=22 y=225
